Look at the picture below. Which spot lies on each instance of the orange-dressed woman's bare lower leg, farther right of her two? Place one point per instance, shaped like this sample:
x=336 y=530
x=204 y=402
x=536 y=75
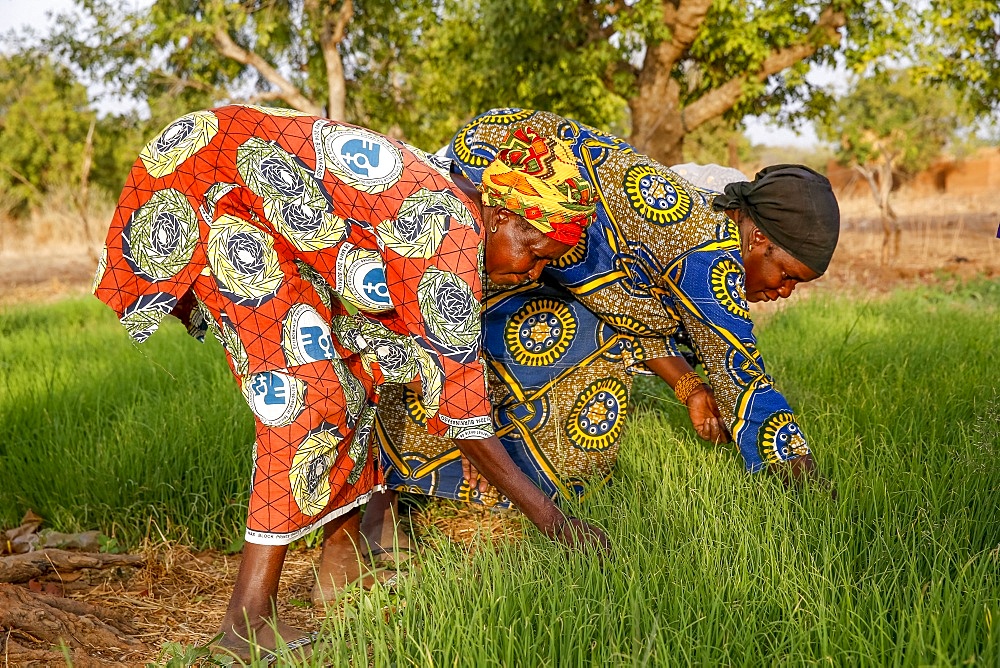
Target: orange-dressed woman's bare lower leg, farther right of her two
x=340 y=564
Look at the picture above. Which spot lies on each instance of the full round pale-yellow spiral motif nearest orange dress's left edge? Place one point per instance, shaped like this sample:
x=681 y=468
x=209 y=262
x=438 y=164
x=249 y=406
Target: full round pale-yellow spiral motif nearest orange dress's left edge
x=160 y=237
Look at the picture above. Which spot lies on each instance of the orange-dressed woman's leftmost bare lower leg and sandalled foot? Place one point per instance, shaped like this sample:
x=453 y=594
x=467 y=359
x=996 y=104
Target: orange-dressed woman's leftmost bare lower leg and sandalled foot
x=251 y=615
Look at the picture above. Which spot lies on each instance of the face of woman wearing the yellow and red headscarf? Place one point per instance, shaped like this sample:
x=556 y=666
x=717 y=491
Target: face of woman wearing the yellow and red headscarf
x=517 y=252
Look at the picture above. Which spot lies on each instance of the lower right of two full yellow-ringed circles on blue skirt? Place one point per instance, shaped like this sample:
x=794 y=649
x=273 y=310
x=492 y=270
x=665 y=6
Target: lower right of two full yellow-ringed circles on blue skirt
x=598 y=415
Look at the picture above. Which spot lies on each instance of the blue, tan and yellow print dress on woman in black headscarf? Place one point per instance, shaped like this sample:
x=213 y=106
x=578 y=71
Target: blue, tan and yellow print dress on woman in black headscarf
x=658 y=266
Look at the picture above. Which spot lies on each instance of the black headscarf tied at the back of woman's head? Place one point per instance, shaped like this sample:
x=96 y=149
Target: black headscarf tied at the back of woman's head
x=794 y=207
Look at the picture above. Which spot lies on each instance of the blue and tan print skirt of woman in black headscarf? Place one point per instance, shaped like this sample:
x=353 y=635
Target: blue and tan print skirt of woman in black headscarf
x=560 y=421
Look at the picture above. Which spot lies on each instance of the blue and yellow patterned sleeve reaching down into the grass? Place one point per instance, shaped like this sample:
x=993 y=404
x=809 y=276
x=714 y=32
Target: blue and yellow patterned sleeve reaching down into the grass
x=707 y=285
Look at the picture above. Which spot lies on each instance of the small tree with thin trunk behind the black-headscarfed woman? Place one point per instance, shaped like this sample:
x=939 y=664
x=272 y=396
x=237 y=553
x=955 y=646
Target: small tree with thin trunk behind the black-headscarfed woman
x=892 y=123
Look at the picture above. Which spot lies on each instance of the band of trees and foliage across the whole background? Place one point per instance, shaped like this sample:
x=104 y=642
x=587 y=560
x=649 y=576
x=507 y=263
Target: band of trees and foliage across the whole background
x=675 y=76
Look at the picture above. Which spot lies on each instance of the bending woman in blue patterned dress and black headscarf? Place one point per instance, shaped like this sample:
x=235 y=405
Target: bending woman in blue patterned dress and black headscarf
x=665 y=262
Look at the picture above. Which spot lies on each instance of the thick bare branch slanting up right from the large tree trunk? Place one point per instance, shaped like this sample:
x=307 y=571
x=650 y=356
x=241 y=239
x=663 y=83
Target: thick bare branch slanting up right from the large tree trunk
x=724 y=97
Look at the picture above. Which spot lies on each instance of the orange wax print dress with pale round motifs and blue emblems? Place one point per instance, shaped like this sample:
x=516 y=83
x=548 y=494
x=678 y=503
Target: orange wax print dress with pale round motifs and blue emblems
x=328 y=260
